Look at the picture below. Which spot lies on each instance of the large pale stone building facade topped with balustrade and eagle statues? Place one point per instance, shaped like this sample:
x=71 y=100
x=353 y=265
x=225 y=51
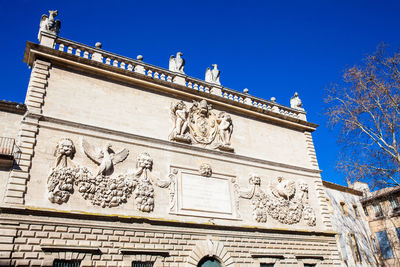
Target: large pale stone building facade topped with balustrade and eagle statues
x=123 y=163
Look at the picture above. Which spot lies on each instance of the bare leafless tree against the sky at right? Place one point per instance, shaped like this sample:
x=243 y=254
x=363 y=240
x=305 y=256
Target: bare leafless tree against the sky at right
x=366 y=109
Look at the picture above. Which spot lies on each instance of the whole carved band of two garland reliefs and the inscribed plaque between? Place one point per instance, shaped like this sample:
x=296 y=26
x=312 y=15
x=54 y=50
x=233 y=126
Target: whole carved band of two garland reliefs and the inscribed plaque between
x=195 y=192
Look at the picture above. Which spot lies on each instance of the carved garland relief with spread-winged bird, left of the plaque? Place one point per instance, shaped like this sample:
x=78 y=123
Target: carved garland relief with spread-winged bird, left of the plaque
x=101 y=187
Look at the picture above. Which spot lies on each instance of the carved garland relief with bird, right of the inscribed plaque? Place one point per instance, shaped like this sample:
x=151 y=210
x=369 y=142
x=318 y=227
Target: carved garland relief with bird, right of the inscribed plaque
x=284 y=200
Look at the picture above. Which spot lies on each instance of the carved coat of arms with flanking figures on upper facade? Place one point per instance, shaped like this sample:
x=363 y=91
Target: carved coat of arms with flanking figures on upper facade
x=200 y=125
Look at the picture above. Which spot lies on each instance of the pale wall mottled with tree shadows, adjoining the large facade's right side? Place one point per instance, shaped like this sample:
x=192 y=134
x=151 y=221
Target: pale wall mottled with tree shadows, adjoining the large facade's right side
x=354 y=237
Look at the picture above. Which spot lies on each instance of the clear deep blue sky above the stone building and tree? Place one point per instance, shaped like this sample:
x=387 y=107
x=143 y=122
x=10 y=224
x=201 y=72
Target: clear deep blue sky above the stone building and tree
x=274 y=48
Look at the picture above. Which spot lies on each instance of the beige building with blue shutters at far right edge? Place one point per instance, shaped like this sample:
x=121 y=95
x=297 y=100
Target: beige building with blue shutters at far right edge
x=382 y=209
